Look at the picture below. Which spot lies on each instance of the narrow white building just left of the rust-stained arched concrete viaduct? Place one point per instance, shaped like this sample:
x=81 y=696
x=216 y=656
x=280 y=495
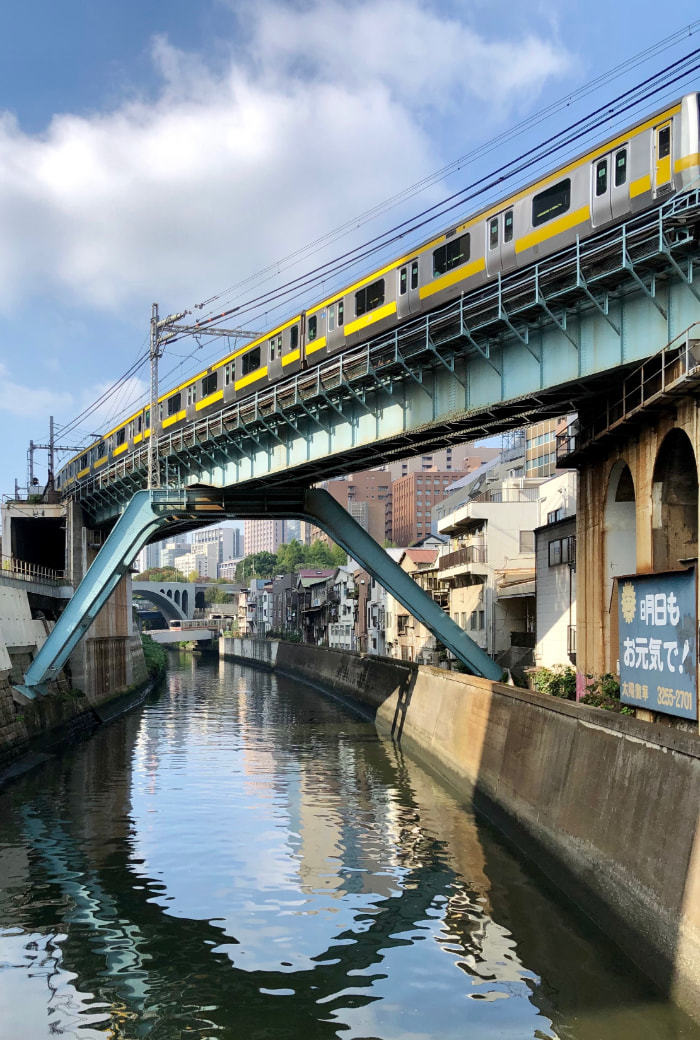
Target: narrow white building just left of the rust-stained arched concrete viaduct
x=556 y=573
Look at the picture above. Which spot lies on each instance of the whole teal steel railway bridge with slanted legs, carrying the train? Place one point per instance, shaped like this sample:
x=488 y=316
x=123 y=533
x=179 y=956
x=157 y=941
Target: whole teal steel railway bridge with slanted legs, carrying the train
x=532 y=345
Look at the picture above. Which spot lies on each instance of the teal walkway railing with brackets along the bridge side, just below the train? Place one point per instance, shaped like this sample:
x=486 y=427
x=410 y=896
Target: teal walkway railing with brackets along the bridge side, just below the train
x=507 y=307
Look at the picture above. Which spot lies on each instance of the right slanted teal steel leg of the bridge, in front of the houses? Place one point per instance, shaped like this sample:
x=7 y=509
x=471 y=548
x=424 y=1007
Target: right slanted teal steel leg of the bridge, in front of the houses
x=327 y=514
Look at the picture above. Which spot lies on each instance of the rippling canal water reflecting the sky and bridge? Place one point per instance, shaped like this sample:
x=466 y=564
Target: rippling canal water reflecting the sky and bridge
x=243 y=857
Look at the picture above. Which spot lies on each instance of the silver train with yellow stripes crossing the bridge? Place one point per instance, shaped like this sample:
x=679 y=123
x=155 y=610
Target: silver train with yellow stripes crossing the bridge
x=623 y=176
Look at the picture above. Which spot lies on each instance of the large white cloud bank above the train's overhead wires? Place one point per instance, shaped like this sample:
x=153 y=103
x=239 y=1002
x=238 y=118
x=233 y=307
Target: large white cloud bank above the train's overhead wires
x=329 y=111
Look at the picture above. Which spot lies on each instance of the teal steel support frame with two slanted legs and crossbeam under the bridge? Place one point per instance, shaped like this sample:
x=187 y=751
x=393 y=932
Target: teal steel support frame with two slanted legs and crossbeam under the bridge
x=153 y=510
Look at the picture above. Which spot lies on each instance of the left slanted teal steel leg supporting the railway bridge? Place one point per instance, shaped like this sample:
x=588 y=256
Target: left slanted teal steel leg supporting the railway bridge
x=129 y=535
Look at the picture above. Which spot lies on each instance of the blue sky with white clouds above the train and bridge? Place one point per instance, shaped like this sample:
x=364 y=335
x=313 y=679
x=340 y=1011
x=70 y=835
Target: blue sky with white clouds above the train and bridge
x=168 y=151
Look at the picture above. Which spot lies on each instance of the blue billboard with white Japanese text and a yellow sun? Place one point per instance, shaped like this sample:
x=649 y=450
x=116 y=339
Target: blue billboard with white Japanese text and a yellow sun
x=658 y=625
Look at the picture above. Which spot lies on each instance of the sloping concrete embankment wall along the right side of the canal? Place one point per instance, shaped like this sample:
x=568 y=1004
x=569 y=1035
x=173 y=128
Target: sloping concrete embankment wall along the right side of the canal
x=606 y=805
